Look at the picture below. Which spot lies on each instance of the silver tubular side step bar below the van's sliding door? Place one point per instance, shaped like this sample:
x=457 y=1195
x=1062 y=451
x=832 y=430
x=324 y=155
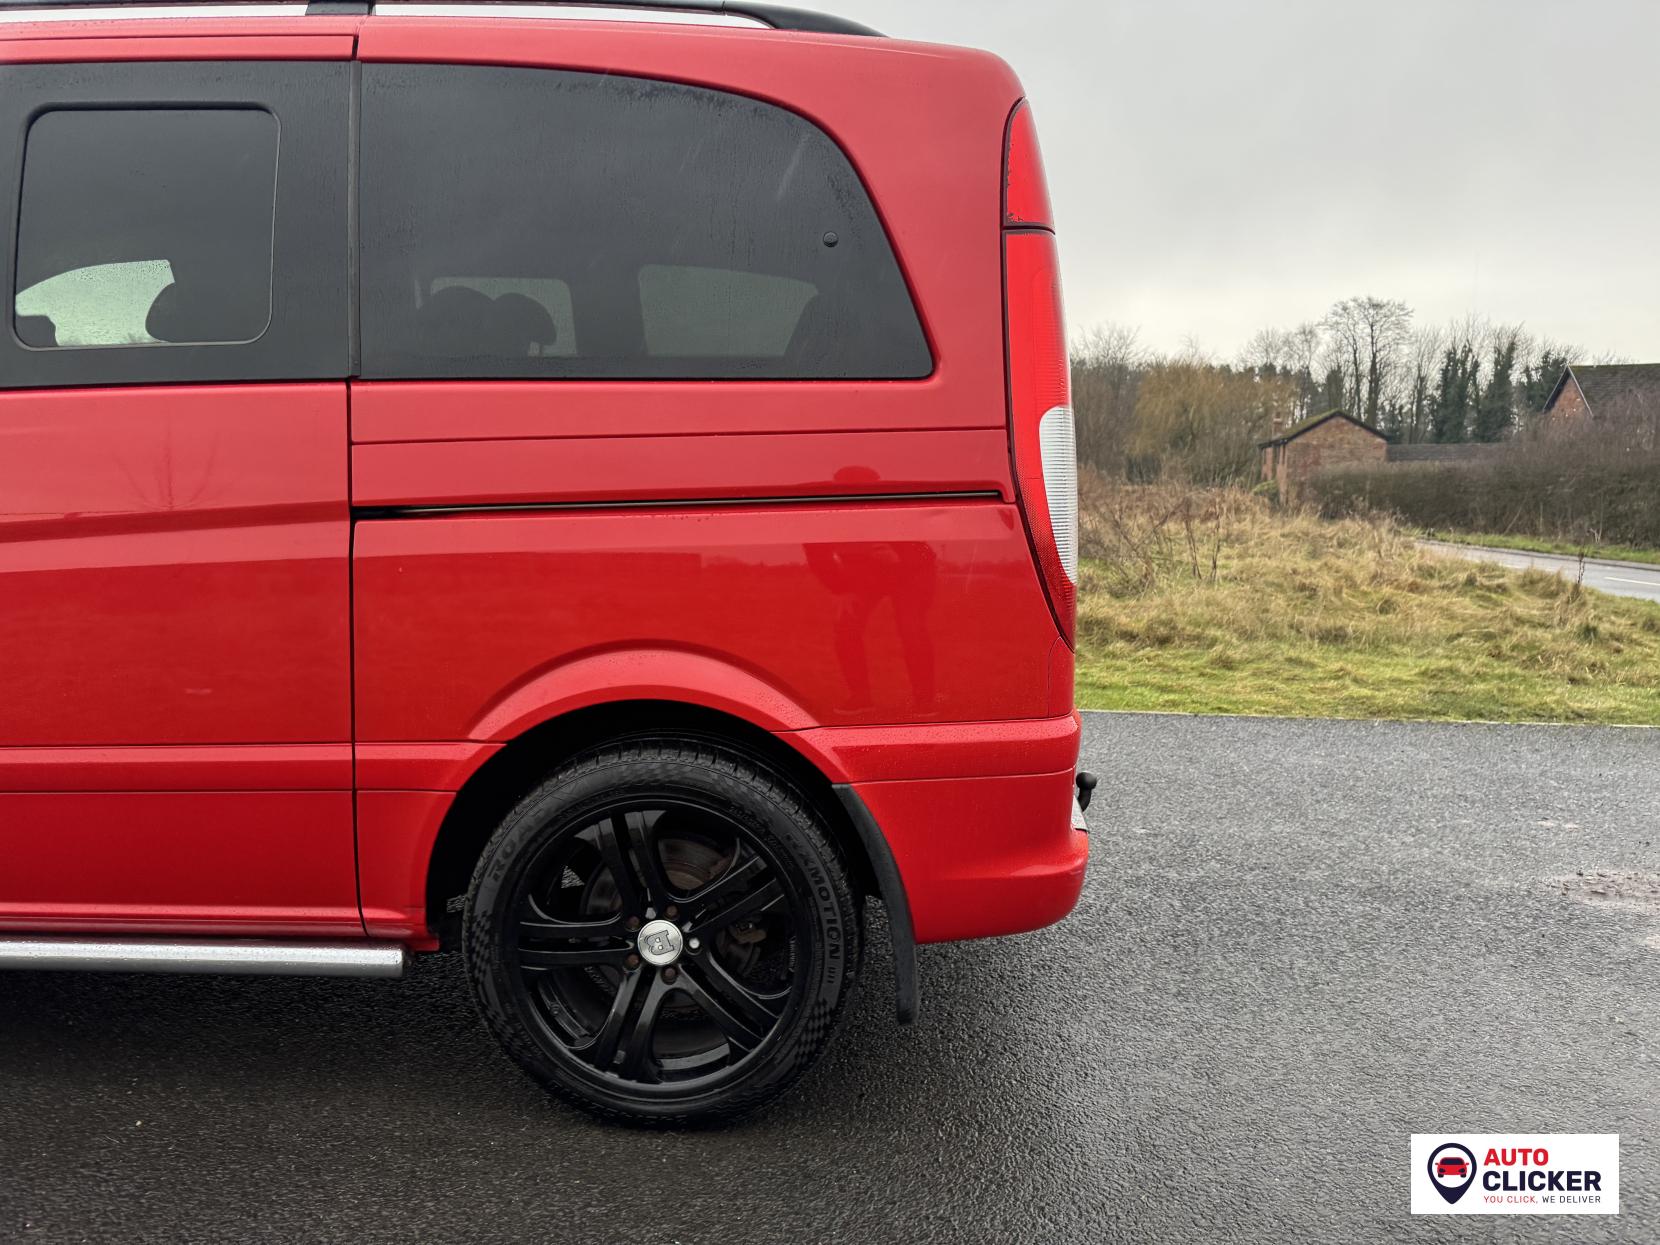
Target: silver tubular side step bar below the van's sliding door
x=205 y=955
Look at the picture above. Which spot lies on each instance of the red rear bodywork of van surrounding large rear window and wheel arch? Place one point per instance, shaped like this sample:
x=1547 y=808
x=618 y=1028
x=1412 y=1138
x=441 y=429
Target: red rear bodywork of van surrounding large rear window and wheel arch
x=828 y=560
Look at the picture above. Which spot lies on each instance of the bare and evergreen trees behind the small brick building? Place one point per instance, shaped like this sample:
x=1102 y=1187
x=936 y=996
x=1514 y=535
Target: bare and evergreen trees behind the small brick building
x=1143 y=414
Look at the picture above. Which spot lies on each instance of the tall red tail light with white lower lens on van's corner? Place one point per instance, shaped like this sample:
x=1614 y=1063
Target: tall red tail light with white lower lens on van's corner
x=1040 y=381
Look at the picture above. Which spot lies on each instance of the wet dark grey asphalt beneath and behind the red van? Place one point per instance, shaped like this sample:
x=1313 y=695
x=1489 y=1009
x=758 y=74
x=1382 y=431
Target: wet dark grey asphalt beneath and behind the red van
x=1301 y=942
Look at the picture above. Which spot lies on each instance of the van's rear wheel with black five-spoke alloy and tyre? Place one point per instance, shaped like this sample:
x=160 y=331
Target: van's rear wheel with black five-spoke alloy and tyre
x=663 y=934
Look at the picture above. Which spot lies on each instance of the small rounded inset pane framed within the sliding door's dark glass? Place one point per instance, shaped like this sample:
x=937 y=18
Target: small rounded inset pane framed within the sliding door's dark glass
x=147 y=228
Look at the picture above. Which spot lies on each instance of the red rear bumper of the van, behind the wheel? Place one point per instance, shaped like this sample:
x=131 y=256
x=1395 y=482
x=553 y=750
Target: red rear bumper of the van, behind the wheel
x=982 y=849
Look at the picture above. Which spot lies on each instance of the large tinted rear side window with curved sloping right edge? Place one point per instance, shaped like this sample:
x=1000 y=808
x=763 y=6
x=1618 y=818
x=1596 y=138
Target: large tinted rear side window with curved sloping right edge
x=539 y=223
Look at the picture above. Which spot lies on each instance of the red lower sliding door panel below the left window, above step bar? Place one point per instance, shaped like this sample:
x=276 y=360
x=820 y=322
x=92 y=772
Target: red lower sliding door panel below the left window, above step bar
x=173 y=567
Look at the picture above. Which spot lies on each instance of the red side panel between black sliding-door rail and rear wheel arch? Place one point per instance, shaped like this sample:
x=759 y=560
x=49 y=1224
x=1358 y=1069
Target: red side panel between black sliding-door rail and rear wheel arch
x=862 y=613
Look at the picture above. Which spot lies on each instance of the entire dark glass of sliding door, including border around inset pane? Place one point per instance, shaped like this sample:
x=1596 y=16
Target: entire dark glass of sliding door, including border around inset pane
x=175 y=223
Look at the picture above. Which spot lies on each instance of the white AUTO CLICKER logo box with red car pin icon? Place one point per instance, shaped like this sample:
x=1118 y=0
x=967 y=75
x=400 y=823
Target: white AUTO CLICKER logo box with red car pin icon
x=1516 y=1174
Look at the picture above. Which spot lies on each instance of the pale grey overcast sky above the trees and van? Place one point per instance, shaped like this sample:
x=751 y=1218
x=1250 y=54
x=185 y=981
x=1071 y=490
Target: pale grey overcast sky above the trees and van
x=1224 y=165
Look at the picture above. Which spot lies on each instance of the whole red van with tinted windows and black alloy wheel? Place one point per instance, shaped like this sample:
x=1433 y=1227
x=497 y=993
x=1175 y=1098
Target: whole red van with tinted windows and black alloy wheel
x=592 y=489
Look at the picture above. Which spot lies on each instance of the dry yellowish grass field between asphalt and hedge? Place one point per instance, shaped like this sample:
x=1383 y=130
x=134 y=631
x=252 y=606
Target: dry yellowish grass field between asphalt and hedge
x=1211 y=602
